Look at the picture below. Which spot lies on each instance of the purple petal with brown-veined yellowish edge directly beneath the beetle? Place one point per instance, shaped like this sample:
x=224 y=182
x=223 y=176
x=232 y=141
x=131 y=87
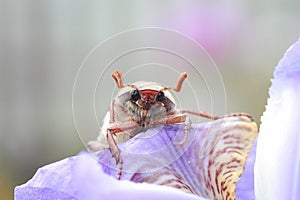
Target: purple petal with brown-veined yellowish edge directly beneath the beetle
x=209 y=164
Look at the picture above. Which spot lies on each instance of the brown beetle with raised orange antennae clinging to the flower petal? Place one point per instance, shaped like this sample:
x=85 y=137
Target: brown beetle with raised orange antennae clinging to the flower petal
x=138 y=107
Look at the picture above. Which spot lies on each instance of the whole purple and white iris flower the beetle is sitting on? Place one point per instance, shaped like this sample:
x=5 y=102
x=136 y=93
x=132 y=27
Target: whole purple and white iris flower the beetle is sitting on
x=215 y=162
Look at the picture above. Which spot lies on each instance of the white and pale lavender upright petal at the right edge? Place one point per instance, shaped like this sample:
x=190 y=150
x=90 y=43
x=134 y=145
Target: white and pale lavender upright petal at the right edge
x=277 y=168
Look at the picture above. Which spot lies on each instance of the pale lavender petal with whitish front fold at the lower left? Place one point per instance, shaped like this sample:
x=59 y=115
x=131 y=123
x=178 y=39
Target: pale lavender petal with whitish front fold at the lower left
x=81 y=177
